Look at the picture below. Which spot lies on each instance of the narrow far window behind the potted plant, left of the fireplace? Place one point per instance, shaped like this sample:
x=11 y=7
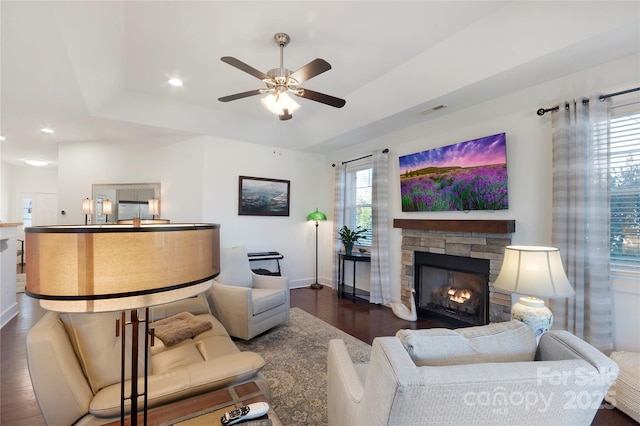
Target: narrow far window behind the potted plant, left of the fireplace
x=358 y=201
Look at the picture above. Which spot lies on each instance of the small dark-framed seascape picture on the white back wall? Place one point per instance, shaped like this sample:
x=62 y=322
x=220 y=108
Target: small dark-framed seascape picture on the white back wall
x=263 y=196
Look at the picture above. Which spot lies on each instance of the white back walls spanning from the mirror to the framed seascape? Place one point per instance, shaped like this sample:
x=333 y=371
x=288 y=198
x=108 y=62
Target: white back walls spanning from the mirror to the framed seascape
x=199 y=182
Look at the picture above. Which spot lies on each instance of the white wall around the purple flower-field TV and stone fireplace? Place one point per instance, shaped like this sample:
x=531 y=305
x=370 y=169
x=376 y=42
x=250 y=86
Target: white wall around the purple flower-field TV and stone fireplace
x=528 y=162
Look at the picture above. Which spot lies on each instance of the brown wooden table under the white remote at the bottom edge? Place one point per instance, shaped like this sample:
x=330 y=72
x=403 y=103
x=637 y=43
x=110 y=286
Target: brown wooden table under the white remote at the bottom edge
x=207 y=408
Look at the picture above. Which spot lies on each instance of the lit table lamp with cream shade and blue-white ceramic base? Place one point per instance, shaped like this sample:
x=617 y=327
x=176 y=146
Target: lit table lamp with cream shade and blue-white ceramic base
x=533 y=271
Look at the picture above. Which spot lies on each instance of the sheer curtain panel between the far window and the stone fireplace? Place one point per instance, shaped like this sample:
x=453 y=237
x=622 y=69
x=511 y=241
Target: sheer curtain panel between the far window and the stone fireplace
x=380 y=292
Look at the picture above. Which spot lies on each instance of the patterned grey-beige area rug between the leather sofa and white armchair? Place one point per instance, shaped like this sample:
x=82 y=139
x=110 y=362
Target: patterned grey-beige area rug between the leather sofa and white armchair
x=296 y=356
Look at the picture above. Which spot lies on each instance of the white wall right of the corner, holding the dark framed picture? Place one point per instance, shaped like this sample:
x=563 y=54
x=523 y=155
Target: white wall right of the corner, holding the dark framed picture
x=292 y=236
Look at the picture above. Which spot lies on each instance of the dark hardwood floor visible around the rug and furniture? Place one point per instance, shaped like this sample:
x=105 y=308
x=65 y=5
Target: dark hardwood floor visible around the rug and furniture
x=360 y=319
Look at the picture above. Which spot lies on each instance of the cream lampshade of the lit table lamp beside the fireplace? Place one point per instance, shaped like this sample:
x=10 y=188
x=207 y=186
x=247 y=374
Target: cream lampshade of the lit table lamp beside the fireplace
x=533 y=271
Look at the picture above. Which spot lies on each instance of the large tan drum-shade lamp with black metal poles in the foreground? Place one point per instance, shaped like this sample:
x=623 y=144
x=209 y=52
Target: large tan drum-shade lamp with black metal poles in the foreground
x=102 y=268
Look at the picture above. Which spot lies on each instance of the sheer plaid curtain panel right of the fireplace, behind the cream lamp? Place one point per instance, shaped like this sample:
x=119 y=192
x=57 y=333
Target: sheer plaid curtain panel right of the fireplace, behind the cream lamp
x=581 y=218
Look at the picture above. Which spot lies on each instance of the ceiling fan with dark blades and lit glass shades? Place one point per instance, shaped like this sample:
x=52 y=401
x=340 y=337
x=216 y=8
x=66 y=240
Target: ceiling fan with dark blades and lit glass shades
x=280 y=82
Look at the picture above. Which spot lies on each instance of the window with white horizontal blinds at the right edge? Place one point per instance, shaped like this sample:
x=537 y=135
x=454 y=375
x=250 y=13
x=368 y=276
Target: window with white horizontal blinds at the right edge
x=624 y=168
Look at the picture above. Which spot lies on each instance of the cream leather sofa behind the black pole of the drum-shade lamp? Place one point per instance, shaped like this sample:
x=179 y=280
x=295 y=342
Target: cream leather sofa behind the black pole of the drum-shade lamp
x=74 y=363
